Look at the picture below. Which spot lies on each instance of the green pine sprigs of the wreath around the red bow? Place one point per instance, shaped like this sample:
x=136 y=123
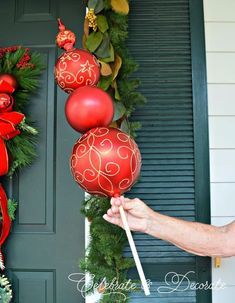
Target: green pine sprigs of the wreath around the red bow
x=22 y=147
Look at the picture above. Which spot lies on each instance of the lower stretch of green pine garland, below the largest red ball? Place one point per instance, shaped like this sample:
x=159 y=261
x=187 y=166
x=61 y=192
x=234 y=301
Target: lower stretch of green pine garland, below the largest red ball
x=104 y=253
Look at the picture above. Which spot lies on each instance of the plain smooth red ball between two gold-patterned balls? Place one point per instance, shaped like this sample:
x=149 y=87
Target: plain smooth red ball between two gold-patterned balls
x=88 y=107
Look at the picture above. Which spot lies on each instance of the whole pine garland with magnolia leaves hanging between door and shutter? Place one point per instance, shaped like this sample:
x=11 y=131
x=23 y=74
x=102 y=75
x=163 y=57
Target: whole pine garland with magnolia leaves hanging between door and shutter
x=105 y=34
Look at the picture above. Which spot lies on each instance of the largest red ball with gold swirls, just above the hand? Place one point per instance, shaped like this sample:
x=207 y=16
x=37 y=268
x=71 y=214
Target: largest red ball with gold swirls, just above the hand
x=105 y=162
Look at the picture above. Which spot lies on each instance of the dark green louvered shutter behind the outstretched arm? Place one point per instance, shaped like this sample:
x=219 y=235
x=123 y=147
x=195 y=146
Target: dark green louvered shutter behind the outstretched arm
x=160 y=39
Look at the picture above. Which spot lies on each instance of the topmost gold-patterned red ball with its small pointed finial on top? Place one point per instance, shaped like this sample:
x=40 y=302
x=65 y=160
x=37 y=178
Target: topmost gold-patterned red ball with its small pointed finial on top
x=75 y=67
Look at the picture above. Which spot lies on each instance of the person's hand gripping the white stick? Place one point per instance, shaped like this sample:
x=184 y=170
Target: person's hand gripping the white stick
x=139 y=215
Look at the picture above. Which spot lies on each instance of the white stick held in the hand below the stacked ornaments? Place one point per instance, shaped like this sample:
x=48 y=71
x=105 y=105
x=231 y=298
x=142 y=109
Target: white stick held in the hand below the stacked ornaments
x=134 y=252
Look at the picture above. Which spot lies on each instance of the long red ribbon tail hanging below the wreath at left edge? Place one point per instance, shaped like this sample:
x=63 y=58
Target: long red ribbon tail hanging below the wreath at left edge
x=6 y=222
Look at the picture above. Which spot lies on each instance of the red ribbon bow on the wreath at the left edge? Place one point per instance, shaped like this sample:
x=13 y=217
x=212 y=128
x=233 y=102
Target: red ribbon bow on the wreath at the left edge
x=8 y=130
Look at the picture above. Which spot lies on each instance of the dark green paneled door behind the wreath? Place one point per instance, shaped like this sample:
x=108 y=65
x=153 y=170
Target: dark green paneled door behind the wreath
x=48 y=236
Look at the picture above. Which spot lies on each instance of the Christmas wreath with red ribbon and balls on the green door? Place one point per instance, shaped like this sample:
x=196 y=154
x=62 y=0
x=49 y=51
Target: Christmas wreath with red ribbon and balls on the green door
x=19 y=71
